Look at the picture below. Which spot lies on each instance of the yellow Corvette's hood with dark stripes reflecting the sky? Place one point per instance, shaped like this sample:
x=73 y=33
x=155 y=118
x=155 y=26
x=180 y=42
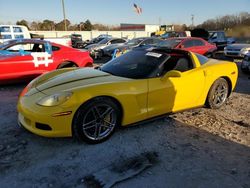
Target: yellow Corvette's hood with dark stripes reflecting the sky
x=68 y=79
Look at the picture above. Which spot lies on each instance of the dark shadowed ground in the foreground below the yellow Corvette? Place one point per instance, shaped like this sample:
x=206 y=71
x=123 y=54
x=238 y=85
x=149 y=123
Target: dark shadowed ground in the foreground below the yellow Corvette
x=186 y=157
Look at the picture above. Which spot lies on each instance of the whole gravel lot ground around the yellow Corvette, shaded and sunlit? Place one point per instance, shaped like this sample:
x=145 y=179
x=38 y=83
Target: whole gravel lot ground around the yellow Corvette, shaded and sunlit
x=196 y=148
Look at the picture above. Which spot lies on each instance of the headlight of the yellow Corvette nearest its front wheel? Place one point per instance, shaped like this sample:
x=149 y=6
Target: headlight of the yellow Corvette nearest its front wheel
x=55 y=99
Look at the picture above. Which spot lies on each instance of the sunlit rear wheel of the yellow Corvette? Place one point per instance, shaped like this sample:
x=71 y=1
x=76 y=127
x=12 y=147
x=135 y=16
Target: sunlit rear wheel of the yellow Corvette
x=217 y=94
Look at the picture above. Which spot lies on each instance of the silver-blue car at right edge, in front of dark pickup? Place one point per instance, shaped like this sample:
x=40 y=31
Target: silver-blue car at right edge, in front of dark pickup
x=237 y=50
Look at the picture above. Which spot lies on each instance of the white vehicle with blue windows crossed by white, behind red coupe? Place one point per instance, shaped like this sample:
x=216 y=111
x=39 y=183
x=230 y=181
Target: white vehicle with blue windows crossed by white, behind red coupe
x=8 y=32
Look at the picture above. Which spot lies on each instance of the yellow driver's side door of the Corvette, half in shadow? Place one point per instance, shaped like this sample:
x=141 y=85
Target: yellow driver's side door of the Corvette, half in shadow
x=174 y=92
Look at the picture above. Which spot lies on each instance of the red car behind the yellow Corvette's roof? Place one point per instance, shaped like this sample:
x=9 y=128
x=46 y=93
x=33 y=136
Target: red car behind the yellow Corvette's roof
x=196 y=45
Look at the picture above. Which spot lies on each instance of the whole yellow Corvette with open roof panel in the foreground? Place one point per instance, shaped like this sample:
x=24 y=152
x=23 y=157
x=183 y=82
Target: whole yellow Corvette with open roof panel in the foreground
x=141 y=84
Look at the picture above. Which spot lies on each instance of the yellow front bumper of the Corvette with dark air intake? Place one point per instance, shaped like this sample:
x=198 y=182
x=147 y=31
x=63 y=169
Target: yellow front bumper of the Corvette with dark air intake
x=41 y=121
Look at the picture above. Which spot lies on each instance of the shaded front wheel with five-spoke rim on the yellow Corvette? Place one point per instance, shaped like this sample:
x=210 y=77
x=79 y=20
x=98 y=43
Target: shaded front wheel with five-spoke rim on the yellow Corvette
x=95 y=121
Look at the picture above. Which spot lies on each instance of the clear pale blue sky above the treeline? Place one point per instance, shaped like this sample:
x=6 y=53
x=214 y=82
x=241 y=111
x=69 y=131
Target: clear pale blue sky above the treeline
x=114 y=12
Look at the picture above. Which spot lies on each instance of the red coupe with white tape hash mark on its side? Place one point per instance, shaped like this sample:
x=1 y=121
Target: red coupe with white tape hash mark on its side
x=25 y=58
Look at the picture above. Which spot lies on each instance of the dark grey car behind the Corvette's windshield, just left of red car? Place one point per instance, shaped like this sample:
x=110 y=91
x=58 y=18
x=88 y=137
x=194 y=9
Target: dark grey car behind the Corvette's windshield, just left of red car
x=141 y=41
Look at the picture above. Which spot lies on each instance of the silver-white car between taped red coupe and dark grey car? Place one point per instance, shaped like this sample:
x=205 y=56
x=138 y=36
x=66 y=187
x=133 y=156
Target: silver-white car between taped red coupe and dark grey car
x=96 y=49
